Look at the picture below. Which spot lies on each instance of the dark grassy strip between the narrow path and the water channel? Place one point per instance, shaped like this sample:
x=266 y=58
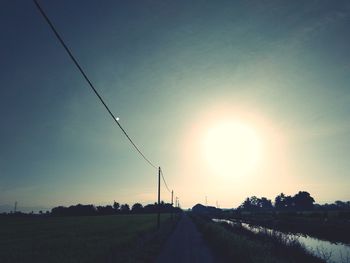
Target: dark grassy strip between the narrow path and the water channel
x=233 y=244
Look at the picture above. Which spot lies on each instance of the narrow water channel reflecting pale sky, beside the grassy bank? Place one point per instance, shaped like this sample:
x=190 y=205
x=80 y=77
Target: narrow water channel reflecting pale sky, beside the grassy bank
x=331 y=252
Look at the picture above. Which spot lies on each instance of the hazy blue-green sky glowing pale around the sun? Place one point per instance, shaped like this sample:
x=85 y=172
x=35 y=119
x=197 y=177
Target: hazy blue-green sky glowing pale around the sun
x=173 y=72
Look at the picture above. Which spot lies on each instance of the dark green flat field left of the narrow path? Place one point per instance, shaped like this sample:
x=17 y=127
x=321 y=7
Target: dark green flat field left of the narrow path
x=116 y=238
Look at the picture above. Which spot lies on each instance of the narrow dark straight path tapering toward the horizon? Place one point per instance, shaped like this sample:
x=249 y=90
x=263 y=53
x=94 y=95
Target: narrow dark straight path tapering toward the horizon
x=185 y=245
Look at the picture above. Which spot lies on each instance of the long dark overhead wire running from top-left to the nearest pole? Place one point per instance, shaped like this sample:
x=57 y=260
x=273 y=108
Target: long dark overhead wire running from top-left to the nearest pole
x=89 y=82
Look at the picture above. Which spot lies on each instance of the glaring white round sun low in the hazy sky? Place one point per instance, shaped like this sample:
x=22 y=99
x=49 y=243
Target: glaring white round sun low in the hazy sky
x=232 y=148
